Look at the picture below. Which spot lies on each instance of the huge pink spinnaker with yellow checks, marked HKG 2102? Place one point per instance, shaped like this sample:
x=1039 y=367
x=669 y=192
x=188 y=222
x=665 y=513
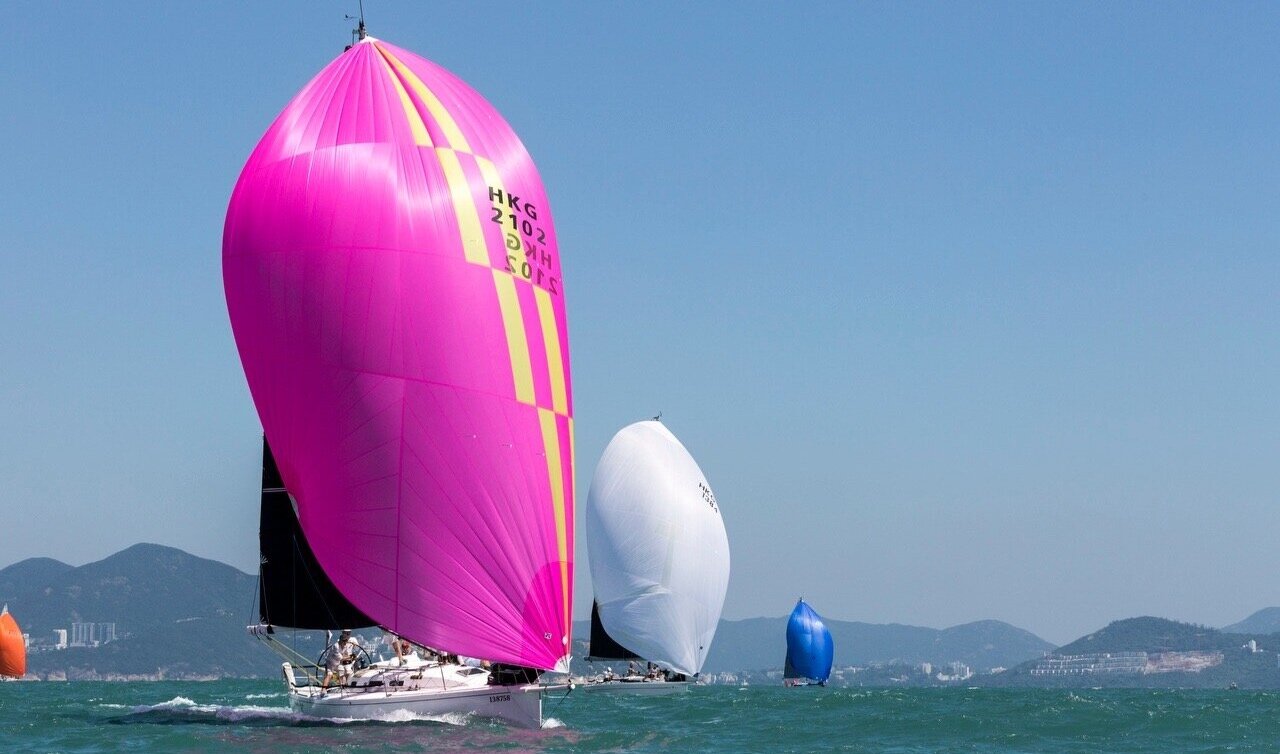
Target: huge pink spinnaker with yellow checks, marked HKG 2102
x=395 y=289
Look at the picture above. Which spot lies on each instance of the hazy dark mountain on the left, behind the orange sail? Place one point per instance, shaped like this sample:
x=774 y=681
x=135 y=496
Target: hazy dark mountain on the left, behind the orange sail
x=176 y=615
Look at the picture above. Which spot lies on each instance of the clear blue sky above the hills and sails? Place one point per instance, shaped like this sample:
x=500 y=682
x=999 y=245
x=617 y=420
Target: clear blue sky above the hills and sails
x=967 y=310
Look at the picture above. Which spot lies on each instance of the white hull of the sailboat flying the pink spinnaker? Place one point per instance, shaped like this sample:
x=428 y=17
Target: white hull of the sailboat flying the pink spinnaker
x=391 y=693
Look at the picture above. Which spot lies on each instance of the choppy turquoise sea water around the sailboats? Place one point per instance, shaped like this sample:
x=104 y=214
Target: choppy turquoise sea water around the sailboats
x=252 y=716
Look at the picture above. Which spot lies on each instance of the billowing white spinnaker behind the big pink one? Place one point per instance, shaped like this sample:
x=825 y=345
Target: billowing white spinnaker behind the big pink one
x=657 y=549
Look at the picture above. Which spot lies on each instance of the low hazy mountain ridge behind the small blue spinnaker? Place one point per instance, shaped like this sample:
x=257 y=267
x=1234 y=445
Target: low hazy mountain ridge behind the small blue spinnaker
x=761 y=645
